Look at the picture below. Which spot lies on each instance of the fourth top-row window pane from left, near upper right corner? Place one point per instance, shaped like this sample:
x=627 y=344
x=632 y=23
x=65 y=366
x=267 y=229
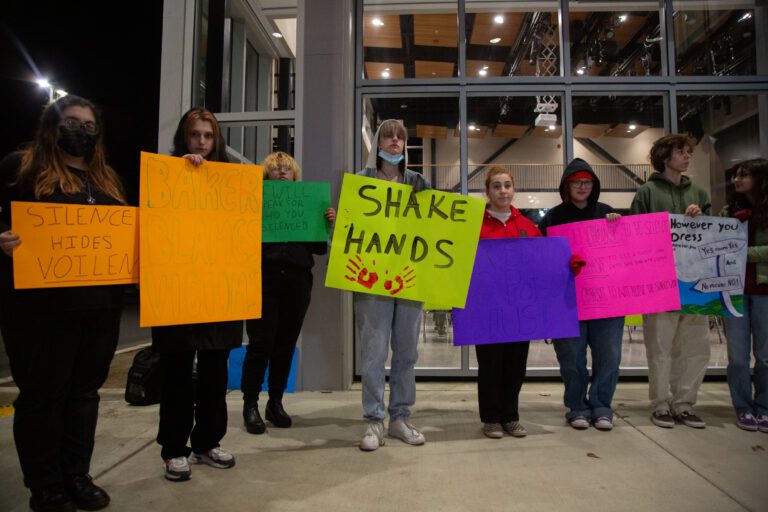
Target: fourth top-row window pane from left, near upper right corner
x=717 y=40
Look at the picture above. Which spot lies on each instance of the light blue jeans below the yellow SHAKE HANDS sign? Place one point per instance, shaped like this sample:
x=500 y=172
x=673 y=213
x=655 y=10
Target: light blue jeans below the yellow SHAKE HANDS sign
x=379 y=321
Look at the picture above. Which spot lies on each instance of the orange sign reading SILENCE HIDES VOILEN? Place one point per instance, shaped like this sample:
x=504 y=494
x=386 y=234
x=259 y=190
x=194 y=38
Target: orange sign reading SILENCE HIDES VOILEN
x=74 y=245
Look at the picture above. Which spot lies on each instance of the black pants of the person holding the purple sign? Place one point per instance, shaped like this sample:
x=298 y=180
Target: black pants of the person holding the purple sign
x=500 y=374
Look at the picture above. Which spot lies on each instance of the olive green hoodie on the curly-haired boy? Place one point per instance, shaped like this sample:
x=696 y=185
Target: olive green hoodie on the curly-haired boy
x=661 y=195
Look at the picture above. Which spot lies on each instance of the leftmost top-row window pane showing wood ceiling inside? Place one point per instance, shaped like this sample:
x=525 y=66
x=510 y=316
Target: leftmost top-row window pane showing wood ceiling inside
x=417 y=44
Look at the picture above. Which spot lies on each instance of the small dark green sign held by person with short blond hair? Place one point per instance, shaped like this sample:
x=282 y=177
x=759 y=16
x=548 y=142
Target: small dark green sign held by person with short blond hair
x=294 y=211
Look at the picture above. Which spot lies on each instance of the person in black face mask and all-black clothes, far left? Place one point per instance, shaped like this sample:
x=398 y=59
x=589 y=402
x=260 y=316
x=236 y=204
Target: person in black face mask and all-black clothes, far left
x=59 y=341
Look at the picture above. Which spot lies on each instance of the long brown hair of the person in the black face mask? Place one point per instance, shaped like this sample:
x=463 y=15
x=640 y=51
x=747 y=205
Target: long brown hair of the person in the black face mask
x=42 y=165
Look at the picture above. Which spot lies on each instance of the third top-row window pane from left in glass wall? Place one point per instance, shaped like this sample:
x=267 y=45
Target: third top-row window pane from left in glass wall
x=610 y=42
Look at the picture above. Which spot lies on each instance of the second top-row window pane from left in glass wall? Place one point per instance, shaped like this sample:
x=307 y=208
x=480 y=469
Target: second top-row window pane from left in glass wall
x=512 y=39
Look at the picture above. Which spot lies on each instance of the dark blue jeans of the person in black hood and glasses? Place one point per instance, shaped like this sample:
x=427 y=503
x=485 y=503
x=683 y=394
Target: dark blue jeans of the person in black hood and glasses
x=603 y=336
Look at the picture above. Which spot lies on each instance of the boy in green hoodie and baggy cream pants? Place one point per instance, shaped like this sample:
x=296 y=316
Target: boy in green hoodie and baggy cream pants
x=677 y=345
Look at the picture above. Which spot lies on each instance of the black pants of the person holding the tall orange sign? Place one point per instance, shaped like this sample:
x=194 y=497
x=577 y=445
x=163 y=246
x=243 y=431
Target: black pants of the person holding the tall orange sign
x=188 y=412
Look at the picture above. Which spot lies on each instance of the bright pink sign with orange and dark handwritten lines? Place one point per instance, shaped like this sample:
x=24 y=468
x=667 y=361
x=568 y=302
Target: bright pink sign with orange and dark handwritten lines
x=630 y=265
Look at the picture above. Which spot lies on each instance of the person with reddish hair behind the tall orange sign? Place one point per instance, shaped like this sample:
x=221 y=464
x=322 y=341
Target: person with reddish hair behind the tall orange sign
x=188 y=411
